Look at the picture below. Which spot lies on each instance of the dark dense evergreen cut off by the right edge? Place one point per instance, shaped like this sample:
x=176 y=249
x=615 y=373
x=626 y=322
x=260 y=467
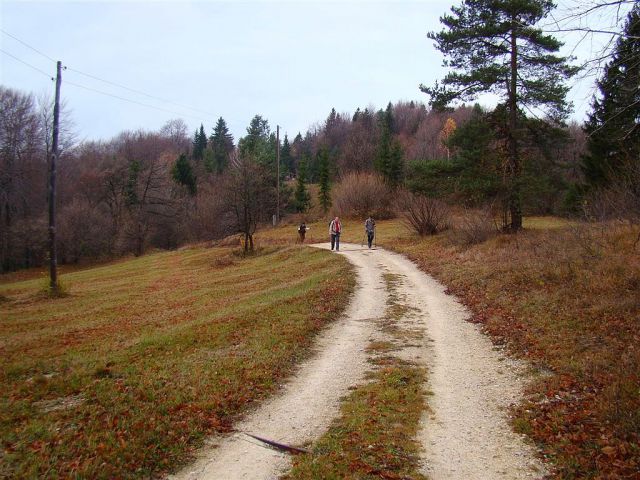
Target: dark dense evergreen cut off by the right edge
x=614 y=125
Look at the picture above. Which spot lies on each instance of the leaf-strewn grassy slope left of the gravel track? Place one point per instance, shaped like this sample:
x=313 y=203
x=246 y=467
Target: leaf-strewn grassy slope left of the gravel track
x=126 y=375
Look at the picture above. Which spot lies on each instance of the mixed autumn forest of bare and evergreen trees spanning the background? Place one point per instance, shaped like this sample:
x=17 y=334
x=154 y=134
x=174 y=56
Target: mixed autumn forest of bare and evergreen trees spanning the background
x=161 y=189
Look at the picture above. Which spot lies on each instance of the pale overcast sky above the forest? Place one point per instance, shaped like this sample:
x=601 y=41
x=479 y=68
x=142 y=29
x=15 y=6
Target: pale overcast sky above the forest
x=290 y=62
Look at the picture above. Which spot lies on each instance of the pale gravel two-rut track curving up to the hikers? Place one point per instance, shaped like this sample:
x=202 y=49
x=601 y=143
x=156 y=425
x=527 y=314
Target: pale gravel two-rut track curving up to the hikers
x=466 y=435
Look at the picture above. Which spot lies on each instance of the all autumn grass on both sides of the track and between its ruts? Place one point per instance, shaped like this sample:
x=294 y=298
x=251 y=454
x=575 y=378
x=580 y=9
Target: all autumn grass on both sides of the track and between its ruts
x=126 y=375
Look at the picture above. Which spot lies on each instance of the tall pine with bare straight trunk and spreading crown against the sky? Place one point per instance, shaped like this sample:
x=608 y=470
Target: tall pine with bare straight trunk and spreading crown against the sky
x=493 y=45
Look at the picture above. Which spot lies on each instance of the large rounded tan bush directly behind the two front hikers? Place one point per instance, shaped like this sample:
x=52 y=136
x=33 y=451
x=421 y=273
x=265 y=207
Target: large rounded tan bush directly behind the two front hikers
x=362 y=194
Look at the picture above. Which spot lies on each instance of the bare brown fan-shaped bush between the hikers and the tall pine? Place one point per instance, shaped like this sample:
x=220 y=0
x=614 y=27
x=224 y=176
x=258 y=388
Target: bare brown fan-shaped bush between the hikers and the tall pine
x=424 y=215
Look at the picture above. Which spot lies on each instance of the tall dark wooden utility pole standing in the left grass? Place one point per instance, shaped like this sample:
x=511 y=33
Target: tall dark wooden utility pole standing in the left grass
x=53 y=257
